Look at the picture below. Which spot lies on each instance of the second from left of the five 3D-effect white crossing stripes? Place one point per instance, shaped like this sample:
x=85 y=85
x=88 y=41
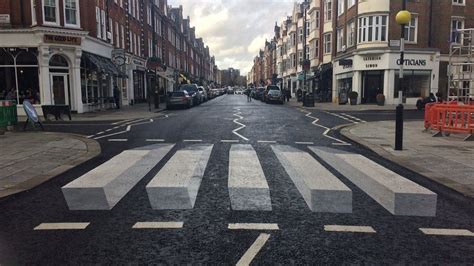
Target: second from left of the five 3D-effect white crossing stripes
x=177 y=184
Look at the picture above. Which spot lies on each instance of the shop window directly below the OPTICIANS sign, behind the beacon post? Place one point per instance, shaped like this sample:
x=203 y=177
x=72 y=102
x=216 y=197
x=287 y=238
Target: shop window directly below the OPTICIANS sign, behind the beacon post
x=416 y=83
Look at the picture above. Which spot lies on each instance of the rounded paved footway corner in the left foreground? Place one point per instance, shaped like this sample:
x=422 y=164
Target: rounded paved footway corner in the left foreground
x=29 y=159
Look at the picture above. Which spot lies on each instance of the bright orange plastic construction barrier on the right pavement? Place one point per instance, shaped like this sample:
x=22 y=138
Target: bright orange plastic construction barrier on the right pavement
x=450 y=118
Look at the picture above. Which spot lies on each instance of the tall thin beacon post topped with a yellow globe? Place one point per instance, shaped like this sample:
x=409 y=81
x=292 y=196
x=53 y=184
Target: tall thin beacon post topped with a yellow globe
x=403 y=18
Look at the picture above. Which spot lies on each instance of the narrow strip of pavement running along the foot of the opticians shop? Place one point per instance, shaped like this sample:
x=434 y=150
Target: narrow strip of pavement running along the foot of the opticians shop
x=347 y=107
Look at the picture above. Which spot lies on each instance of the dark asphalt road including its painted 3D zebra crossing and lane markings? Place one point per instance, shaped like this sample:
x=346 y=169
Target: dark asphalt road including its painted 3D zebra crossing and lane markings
x=210 y=225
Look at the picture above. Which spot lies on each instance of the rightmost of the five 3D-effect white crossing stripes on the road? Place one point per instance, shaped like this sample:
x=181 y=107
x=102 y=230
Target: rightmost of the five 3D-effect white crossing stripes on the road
x=395 y=193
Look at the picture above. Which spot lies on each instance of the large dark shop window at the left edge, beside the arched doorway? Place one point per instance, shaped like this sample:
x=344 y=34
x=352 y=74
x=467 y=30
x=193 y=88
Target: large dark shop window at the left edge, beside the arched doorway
x=19 y=75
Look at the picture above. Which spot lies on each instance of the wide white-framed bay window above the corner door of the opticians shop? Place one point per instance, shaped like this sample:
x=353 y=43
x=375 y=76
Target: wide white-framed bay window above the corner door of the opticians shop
x=373 y=29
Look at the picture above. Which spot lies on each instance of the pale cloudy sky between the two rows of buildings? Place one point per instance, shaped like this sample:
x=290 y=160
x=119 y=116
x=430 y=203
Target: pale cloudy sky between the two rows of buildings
x=235 y=30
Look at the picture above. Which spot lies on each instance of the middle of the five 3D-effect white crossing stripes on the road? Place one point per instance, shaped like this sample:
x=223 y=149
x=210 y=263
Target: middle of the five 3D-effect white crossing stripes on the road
x=248 y=187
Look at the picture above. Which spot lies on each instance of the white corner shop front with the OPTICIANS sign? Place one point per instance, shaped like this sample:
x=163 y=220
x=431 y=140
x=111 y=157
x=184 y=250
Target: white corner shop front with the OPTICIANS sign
x=370 y=74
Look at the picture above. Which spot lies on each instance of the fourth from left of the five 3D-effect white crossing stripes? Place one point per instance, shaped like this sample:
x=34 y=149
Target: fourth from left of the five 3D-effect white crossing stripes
x=322 y=191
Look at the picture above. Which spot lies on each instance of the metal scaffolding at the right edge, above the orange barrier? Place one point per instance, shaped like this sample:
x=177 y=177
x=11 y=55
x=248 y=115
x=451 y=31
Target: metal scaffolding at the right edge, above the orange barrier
x=461 y=67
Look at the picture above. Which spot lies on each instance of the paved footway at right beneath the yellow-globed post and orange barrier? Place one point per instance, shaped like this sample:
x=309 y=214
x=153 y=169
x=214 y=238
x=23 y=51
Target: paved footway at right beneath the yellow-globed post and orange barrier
x=446 y=160
